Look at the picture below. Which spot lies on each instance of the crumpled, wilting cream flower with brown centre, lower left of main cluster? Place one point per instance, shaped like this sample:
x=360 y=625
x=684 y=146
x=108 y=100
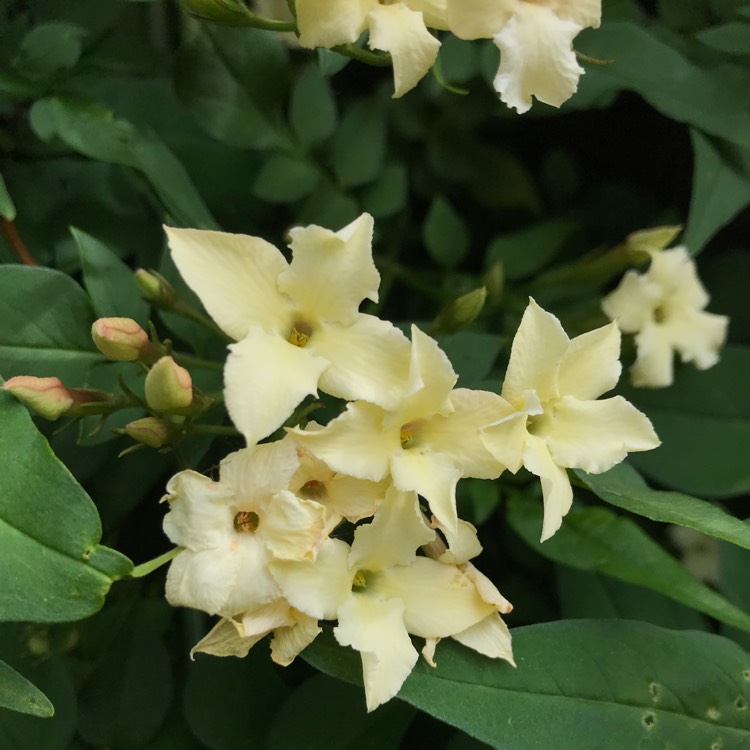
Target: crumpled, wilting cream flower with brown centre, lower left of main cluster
x=232 y=528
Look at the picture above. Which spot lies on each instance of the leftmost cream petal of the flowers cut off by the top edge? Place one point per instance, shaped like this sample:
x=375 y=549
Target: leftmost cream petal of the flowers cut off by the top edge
x=327 y=23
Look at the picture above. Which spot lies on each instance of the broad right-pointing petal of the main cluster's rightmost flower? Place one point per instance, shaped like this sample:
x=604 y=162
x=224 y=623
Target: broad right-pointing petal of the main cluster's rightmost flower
x=594 y=435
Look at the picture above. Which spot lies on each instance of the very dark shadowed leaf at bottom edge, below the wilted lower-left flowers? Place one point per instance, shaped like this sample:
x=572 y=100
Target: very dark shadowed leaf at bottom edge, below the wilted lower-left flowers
x=229 y=702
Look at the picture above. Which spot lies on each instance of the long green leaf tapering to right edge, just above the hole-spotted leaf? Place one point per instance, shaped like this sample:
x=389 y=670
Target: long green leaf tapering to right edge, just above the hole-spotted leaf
x=597 y=540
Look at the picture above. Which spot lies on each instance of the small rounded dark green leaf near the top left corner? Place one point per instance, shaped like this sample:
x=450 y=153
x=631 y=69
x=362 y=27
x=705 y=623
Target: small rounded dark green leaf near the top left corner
x=48 y=48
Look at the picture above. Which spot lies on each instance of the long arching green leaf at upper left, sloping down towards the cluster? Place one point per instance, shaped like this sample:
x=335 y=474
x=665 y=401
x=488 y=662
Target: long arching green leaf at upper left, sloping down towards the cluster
x=95 y=131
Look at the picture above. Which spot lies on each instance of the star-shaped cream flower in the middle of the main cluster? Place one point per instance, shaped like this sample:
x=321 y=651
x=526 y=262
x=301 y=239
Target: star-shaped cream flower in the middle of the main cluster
x=427 y=441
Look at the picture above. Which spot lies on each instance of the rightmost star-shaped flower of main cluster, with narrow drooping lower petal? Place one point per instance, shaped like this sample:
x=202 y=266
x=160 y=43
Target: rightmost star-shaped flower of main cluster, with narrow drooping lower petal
x=553 y=383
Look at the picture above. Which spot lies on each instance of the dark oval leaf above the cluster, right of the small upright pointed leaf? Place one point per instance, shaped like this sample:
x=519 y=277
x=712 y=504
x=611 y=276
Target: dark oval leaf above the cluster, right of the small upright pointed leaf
x=358 y=147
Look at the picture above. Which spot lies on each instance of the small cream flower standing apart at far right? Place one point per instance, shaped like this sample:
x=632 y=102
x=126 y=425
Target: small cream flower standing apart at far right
x=664 y=307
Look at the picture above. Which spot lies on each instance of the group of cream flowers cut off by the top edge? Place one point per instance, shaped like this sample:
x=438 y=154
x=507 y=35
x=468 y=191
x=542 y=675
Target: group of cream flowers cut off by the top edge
x=534 y=38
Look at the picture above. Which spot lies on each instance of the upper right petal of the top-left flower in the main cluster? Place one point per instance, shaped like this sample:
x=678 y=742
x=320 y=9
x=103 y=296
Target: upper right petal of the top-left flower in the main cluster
x=332 y=272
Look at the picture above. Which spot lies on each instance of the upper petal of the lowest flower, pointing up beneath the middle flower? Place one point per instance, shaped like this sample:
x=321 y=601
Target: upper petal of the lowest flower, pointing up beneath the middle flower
x=397 y=530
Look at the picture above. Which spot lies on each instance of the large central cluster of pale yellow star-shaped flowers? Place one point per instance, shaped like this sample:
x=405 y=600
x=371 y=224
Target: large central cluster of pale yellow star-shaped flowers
x=356 y=521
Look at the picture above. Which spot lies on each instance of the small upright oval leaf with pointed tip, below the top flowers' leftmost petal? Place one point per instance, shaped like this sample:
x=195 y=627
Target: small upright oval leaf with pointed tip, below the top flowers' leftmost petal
x=312 y=109
